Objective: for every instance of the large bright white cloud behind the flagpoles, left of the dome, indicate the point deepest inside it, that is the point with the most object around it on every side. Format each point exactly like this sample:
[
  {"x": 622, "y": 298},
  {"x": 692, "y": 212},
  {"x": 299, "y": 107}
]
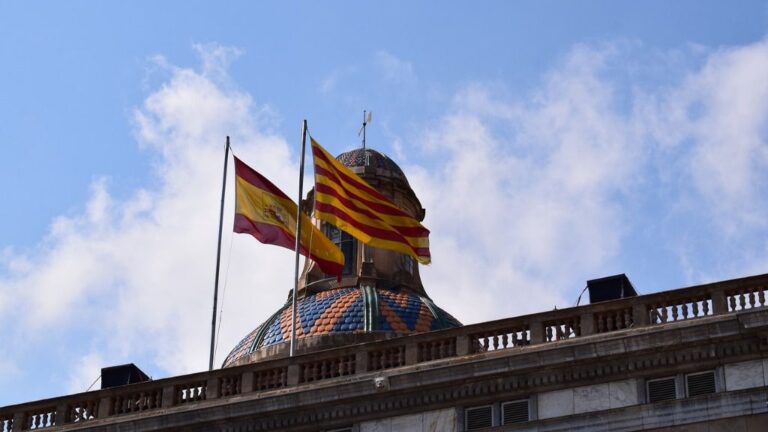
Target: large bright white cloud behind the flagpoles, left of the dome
[{"x": 138, "y": 273}]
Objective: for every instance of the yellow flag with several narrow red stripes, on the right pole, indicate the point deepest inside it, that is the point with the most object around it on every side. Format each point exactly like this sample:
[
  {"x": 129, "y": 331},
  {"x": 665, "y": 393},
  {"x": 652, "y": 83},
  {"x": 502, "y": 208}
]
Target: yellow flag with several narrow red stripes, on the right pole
[{"x": 347, "y": 201}]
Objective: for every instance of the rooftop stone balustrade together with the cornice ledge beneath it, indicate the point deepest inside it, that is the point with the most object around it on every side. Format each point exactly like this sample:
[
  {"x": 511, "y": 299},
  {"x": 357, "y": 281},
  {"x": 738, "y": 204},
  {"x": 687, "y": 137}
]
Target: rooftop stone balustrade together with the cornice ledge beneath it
[{"x": 617, "y": 327}]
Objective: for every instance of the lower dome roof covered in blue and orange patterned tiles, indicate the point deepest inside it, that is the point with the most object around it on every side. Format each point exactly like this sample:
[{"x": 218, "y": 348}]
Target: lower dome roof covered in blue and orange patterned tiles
[{"x": 340, "y": 311}]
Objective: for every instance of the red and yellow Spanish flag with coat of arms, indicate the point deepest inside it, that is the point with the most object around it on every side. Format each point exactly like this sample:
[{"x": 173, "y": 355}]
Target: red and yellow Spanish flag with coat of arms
[{"x": 265, "y": 212}]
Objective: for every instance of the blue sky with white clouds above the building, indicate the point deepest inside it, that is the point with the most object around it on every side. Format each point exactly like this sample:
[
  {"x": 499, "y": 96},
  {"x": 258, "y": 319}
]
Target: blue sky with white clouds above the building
[{"x": 551, "y": 142}]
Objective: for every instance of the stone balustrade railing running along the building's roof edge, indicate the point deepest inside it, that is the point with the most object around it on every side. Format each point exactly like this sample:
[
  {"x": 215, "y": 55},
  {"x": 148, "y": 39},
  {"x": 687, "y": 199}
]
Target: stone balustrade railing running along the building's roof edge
[{"x": 477, "y": 339}]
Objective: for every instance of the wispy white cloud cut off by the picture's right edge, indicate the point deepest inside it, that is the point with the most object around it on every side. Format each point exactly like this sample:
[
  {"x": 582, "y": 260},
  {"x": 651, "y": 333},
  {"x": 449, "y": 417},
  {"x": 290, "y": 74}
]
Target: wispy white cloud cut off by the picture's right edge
[{"x": 719, "y": 116}]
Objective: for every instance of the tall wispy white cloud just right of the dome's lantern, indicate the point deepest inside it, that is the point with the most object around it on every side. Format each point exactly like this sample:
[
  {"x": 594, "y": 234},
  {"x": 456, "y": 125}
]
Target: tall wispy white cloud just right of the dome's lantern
[{"x": 523, "y": 196}]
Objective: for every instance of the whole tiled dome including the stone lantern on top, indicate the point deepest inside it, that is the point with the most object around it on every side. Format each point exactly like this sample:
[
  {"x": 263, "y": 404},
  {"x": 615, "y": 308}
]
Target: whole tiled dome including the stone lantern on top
[{"x": 380, "y": 295}]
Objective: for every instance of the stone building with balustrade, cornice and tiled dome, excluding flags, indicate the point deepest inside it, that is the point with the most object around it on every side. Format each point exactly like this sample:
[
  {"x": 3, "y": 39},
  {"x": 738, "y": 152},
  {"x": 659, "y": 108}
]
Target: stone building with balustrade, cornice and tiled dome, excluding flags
[{"x": 375, "y": 354}]
